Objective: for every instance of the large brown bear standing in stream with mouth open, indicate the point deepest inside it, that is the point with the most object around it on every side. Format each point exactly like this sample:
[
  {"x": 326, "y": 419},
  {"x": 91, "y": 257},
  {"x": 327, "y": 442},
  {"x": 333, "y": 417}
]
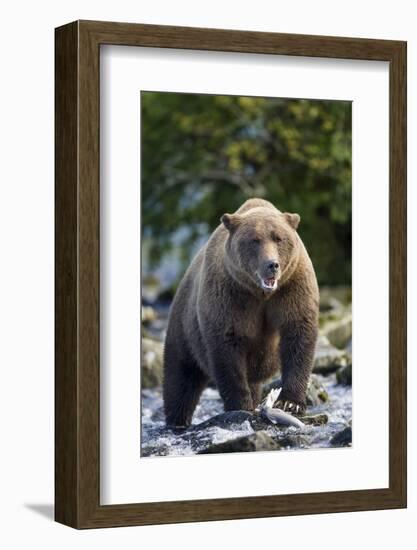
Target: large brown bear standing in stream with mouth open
[{"x": 247, "y": 305}]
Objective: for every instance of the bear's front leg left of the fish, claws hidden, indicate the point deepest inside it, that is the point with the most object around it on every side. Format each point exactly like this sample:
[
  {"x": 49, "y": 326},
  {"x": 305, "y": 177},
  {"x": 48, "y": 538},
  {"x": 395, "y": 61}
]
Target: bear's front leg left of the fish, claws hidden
[{"x": 230, "y": 369}]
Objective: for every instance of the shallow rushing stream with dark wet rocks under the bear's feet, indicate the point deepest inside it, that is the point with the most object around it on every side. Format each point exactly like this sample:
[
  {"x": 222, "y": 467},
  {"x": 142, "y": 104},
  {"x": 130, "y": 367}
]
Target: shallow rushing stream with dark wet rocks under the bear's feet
[{"x": 327, "y": 424}]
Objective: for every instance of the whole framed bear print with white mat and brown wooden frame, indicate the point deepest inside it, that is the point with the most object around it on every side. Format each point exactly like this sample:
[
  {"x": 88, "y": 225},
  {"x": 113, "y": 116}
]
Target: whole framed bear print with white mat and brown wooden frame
[{"x": 230, "y": 274}]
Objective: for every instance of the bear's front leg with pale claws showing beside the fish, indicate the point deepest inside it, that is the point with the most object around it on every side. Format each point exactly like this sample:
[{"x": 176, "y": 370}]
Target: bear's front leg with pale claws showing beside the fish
[{"x": 297, "y": 346}]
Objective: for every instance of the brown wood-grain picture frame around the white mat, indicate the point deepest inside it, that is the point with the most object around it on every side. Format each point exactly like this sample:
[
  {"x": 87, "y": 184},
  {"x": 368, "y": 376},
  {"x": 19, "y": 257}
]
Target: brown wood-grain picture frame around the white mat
[{"x": 77, "y": 274}]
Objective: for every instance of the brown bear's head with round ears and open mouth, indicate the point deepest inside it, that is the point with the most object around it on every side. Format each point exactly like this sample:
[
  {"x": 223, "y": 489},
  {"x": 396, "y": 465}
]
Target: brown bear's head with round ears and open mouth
[{"x": 261, "y": 244}]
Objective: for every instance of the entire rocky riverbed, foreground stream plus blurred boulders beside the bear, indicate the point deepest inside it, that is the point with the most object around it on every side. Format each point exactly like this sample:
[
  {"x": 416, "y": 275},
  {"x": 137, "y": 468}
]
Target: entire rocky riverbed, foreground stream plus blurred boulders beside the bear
[{"x": 327, "y": 422}]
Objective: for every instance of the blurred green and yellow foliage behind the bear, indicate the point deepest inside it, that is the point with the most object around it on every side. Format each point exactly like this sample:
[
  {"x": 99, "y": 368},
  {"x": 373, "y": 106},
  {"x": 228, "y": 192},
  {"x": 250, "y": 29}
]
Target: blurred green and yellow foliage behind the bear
[{"x": 203, "y": 155}]
